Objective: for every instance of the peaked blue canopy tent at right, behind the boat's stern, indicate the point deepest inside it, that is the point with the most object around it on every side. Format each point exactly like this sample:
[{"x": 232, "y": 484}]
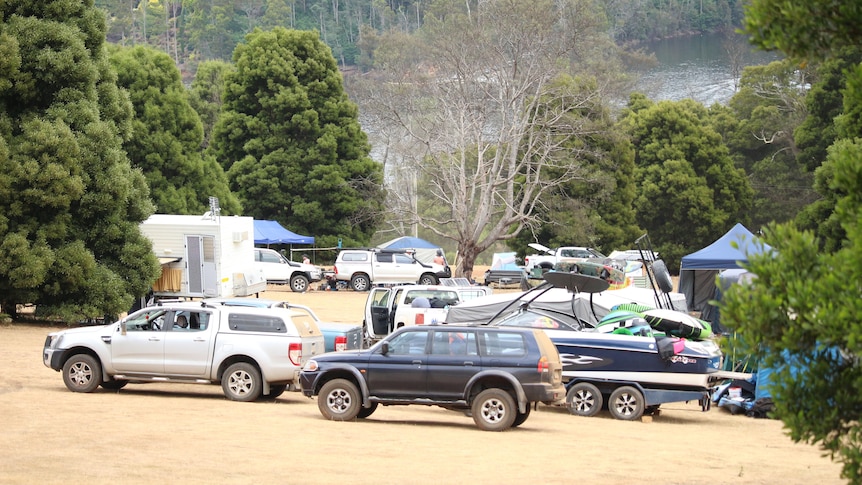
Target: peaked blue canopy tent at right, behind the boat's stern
[{"x": 698, "y": 270}]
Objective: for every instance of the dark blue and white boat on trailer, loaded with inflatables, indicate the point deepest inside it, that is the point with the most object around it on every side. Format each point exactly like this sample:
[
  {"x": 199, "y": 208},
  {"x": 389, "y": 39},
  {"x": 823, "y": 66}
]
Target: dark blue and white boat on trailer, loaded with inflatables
[{"x": 635, "y": 367}]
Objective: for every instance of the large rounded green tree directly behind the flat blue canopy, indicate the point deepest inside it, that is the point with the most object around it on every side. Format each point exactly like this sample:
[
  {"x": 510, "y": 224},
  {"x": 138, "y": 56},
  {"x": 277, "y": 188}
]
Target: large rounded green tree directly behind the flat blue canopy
[{"x": 291, "y": 141}]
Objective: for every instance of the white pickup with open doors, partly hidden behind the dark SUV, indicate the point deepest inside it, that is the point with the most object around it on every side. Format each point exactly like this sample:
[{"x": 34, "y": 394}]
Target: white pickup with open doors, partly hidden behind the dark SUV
[{"x": 388, "y": 309}]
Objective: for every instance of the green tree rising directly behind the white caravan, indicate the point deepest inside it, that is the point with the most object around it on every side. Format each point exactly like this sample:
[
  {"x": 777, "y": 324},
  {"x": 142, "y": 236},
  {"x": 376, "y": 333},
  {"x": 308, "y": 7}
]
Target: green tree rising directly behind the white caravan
[{"x": 168, "y": 135}]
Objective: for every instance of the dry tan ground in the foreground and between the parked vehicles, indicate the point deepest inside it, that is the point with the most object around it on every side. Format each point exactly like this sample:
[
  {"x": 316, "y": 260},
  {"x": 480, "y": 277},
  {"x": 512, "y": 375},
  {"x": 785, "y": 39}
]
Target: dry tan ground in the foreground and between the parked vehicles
[{"x": 192, "y": 434}]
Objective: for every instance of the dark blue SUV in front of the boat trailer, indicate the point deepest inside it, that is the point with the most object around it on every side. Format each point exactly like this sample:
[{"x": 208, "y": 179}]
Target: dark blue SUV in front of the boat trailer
[{"x": 494, "y": 374}]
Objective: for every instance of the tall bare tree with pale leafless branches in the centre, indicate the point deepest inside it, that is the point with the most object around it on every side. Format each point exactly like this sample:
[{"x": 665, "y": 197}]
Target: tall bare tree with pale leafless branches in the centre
[{"x": 475, "y": 97}]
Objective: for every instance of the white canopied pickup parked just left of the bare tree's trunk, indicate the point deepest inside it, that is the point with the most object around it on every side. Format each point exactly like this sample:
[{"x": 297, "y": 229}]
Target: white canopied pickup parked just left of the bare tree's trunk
[{"x": 362, "y": 268}]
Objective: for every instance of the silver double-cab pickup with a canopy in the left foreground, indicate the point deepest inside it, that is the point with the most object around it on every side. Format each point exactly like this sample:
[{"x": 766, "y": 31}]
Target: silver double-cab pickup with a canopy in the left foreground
[{"x": 251, "y": 352}]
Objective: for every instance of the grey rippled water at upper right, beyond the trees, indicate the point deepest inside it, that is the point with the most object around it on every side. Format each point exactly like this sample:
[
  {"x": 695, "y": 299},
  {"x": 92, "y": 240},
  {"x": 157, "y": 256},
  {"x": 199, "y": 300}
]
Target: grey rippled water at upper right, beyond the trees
[{"x": 697, "y": 67}]
